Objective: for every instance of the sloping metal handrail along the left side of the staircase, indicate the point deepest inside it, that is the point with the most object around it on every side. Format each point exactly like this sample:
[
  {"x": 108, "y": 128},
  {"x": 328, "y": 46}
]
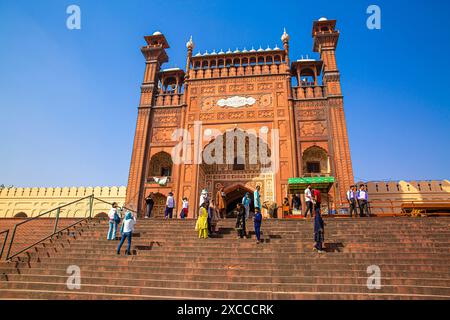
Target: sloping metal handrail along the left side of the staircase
[{"x": 55, "y": 231}]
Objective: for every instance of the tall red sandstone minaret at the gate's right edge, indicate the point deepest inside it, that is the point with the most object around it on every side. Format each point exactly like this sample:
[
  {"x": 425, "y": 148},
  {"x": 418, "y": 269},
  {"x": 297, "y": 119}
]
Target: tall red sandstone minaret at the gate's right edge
[{"x": 326, "y": 38}]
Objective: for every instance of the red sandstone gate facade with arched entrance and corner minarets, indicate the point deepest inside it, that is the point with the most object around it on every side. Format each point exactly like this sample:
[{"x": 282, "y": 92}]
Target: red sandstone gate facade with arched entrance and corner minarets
[{"x": 301, "y": 100}]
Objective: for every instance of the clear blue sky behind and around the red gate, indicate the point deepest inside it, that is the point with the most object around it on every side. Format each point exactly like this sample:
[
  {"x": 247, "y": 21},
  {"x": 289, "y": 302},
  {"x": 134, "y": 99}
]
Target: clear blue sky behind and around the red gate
[{"x": 68, "y": 99}]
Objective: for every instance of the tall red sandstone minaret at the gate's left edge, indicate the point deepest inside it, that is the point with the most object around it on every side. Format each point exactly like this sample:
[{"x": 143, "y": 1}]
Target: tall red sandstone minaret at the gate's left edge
[{"x": 155, "y": 55}]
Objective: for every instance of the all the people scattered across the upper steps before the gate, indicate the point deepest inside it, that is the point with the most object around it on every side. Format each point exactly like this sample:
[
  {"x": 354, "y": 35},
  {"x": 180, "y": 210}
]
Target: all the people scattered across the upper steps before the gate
[{"x": 211, "y": 211}]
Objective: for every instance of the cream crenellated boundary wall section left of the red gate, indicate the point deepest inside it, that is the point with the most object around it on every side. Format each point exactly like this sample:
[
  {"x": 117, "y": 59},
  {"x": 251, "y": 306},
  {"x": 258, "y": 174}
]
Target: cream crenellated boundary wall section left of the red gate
[{"x": 35, "y": 201}]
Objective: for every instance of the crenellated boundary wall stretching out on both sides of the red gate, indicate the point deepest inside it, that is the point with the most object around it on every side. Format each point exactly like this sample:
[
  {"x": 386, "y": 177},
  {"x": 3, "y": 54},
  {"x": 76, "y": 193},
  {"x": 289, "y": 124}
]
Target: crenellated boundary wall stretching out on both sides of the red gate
[{"x": 385, "y": 197}]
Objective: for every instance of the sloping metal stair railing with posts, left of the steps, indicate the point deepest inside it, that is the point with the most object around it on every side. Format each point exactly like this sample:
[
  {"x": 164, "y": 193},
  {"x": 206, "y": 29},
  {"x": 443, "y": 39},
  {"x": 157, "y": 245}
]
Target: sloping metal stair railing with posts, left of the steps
[{"x": 55, "y": 231}]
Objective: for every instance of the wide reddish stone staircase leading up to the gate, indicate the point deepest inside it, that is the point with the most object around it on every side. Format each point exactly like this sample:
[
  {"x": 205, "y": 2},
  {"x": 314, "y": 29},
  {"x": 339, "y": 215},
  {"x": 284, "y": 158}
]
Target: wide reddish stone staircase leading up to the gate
[{"x": 170, "y": 262}]
